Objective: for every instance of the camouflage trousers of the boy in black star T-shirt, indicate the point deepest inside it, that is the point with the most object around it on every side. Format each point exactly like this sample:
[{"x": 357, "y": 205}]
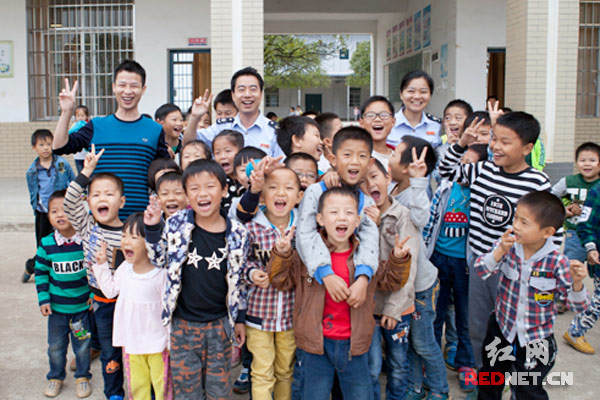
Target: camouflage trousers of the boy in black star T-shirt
[{"x": 200, "y": 359}]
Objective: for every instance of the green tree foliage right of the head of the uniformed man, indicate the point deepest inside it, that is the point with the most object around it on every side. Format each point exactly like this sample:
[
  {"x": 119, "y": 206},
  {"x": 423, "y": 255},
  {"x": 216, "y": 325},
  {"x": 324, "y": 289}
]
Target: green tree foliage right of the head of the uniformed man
[{"x": 292, "y": 62}]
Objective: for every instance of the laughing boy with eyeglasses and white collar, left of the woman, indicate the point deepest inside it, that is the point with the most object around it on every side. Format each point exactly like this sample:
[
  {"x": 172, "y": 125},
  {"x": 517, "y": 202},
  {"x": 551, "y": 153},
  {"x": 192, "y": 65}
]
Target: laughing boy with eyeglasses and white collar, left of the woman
[{"x": 377, "y": 118}]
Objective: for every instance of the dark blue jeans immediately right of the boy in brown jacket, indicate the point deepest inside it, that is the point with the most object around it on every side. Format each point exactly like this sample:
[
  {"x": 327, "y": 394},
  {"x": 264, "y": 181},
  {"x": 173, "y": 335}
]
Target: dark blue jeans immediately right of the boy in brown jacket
[{"x": 396, "y": 346}]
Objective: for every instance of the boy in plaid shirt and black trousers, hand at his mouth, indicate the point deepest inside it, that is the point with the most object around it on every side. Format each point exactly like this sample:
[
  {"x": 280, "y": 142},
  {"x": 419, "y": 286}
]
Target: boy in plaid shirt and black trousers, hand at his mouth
[{"x": 533, "y": 272}]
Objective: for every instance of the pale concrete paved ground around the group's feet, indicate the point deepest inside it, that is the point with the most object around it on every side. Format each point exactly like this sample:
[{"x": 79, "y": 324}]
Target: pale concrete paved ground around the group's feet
[{"x": 23, "y": 329}]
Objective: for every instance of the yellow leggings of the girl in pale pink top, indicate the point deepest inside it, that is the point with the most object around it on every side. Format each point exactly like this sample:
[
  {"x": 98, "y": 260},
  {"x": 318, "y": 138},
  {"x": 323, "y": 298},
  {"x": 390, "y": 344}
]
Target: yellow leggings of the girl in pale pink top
[{"x": 148, "y": 370}]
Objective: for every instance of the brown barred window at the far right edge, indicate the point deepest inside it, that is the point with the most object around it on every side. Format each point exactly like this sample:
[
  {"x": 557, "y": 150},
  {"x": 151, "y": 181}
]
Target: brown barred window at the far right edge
[{"x": 588, "y": 71}]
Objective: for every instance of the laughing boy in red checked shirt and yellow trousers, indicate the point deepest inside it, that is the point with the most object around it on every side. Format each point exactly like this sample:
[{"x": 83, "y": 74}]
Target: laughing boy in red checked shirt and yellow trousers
[{"x": 270, "y": 337}]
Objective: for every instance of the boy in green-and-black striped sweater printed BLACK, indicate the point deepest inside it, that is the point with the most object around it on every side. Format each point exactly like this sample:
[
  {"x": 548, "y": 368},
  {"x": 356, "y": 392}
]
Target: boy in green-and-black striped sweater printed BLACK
[{"x": 64, "y": 297}]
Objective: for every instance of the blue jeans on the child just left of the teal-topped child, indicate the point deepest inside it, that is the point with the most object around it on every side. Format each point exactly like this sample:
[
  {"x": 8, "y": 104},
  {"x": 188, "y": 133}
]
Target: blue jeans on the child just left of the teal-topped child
[{"x": 423, "y": 350}]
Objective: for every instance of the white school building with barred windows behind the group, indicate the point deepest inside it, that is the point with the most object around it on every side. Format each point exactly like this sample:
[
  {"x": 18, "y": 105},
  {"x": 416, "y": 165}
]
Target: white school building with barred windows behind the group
[{"x": 540, "y": 56}]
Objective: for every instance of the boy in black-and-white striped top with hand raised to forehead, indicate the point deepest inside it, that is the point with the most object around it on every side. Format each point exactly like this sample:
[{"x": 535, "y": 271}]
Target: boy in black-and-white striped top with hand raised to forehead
[{"x": 496, "y": 186}]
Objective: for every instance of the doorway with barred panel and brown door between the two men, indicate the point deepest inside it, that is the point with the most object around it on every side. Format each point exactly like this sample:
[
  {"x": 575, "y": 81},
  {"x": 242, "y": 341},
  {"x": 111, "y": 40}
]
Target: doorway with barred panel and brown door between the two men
[{"x": 189, "y": 76}]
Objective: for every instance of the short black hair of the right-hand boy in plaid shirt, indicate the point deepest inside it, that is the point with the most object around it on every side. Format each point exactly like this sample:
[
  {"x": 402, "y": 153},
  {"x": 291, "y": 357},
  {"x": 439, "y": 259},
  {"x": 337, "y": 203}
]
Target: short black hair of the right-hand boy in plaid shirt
[{"x": 547, "y": 209}]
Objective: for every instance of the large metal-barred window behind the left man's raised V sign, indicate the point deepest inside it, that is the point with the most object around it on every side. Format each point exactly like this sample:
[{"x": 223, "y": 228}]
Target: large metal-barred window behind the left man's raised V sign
[{"x": 83, "y": 40}]
